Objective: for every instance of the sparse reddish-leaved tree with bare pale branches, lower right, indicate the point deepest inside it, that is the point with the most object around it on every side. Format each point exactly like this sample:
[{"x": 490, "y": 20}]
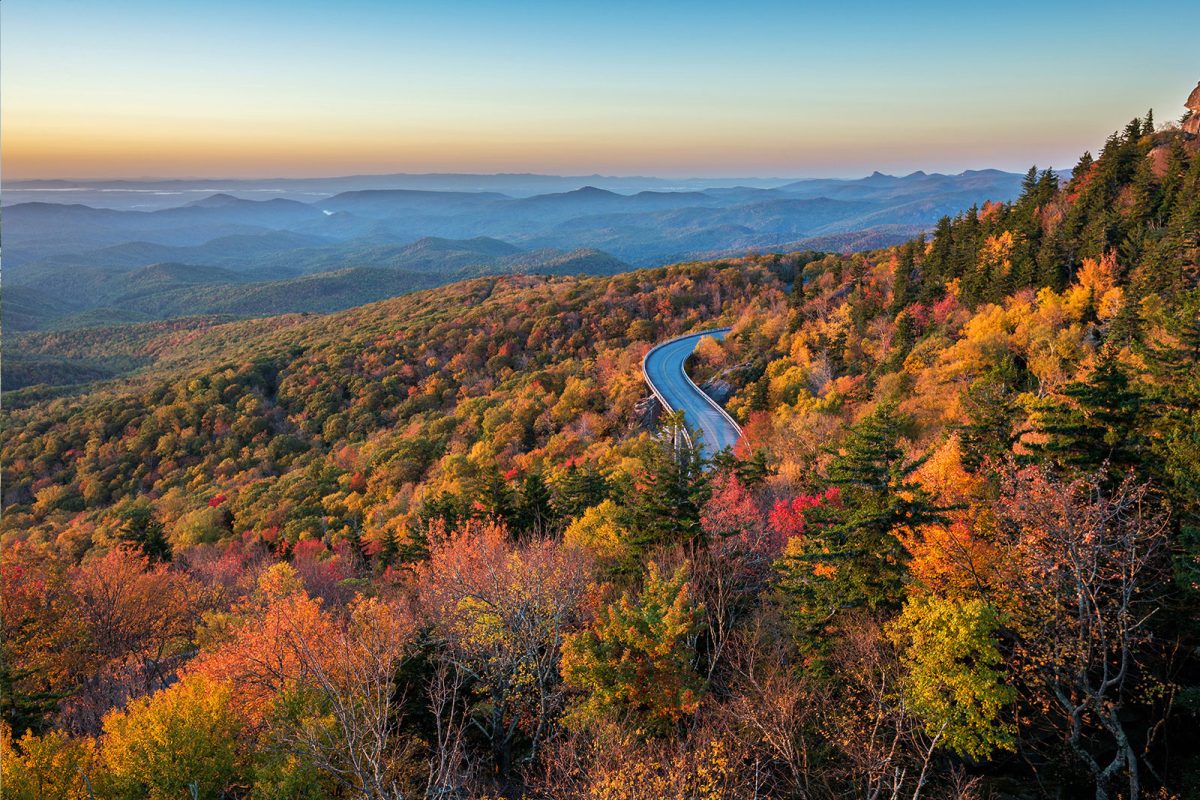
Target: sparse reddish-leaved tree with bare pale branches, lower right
[{"x": 1085, "y": 575}]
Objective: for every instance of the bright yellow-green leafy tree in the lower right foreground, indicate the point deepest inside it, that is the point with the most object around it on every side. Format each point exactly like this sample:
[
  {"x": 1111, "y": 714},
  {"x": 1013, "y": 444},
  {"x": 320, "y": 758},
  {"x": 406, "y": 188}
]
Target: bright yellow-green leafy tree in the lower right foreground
[{"x": 955, "y": 678}]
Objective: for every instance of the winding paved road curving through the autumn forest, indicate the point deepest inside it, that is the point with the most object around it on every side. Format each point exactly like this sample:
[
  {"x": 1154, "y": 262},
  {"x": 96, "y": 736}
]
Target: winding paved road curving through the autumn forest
[{"x": 663, "y": 370}]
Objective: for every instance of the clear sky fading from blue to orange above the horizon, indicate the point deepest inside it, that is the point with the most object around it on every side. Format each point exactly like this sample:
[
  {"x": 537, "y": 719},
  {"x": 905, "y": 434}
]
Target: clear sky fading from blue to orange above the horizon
[{"x": 757, "y": 88}]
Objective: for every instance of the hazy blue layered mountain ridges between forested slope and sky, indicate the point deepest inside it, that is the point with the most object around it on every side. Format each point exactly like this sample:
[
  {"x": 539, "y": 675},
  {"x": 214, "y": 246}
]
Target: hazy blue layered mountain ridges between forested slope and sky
[{"x": 74, "y": 264}]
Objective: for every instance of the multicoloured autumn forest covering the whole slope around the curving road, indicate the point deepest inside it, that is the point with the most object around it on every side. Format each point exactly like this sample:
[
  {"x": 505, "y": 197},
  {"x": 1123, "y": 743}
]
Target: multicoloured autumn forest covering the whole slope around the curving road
[{"x": 442, "y": 546}]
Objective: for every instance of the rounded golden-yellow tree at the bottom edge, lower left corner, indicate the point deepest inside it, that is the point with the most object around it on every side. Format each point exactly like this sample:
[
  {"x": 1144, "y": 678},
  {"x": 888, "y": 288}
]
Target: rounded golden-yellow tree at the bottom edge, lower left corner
[{"x": 182, "y": 741}]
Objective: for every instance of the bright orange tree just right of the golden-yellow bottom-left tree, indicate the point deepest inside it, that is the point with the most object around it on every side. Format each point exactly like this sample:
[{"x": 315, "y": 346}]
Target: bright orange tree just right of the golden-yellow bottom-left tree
[{"x": 320, "y": 687}]
